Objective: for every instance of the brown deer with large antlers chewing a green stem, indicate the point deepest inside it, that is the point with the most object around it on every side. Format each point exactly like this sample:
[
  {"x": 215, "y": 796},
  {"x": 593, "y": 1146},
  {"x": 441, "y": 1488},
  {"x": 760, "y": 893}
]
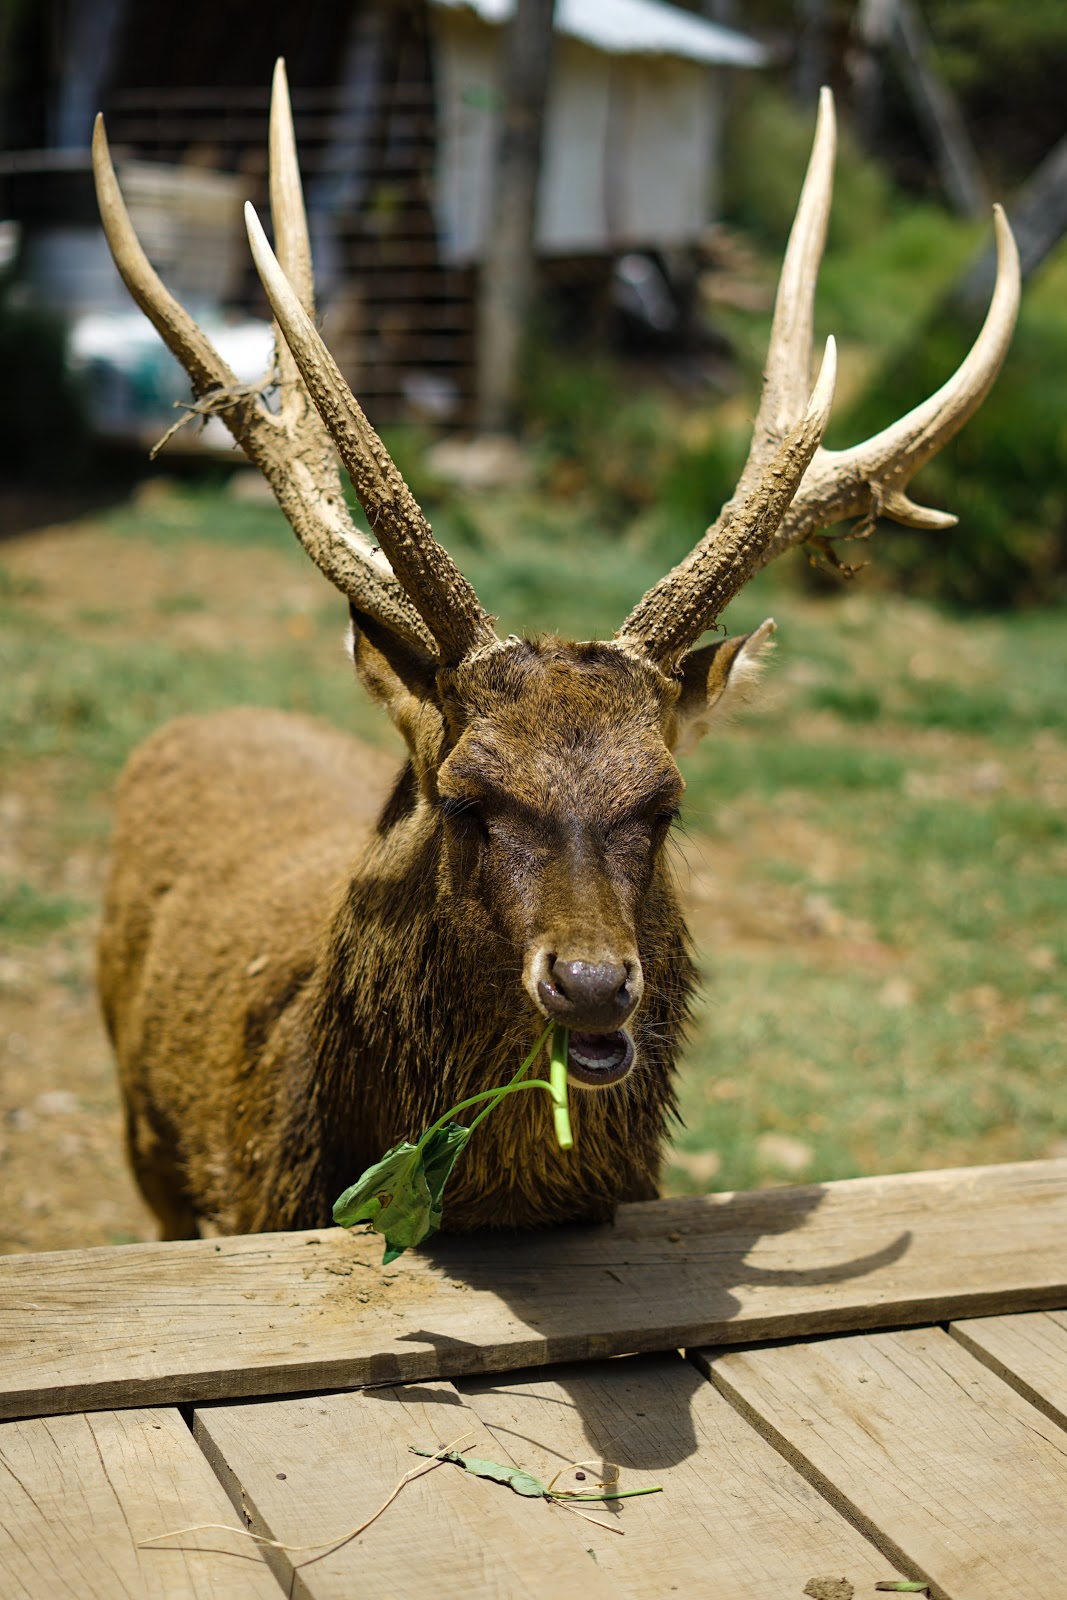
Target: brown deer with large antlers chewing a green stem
[{"x": 305, "y": 959}]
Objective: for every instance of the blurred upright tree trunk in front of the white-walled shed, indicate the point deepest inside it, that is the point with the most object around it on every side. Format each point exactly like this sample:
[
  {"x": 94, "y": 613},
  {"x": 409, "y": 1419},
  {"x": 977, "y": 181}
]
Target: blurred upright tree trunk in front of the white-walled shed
[{"x": 508, "y": 273}]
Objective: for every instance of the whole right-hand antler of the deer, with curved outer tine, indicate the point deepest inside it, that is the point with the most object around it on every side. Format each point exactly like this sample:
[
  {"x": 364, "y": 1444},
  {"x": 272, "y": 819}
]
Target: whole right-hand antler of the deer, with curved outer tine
[{"x": 789, "y": 492}]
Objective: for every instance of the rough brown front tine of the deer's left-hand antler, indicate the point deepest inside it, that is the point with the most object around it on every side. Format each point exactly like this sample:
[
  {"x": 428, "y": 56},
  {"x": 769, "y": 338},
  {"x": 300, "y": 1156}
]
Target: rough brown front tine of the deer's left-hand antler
[{"x": 439, "y": 591}]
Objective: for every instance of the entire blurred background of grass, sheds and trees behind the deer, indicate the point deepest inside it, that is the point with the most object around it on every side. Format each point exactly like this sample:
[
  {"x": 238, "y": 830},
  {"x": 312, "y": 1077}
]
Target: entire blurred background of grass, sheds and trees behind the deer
[{"x": 546, "y": 242}]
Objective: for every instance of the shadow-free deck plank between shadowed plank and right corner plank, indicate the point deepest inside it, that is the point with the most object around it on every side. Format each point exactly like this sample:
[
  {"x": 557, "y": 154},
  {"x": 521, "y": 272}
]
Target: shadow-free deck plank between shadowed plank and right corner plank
[{"x": 945, "y": 1466}]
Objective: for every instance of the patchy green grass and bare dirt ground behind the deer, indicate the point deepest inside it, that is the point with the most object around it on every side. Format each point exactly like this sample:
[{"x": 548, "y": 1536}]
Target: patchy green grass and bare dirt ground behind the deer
[{"x": 874, "y": 860}]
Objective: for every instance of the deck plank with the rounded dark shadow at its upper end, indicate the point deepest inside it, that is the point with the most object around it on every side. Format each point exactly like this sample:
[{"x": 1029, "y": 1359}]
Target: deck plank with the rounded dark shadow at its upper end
[{"x": 735, "y": 1519}]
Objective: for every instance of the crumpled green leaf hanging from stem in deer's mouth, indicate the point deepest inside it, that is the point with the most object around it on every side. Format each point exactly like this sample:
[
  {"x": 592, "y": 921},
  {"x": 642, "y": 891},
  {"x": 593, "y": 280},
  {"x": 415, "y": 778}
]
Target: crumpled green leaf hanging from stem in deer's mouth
[{"x": 401, "y": 1196}]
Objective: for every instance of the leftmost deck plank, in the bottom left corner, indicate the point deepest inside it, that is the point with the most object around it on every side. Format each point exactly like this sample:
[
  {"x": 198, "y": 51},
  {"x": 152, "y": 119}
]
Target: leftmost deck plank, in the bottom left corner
[{"x": 78, "y": 1495}]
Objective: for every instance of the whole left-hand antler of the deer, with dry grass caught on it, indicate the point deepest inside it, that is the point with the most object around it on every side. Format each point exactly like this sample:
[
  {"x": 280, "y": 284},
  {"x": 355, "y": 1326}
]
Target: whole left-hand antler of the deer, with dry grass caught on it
[{"x": 431, "y": 606}]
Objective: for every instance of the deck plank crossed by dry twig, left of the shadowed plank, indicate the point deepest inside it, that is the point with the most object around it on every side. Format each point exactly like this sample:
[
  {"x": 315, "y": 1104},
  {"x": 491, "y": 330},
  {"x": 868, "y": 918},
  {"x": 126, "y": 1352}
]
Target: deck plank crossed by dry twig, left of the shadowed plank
[{"x": 314, "y": 1468}]
